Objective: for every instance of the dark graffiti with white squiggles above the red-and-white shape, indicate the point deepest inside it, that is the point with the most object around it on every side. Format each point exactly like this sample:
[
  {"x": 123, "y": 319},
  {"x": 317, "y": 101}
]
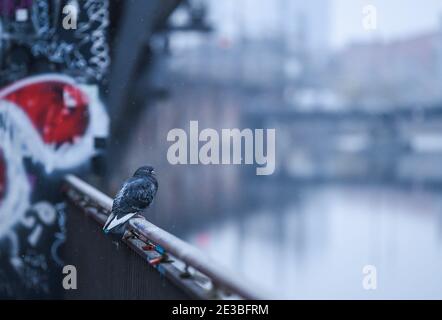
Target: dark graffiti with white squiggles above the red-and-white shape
[{"x": 40, "y": 41}]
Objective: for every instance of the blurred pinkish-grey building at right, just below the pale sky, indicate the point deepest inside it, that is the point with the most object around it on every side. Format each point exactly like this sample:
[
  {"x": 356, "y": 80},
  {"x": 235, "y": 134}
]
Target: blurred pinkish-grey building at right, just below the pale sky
[{"x": 401, "y": 73}]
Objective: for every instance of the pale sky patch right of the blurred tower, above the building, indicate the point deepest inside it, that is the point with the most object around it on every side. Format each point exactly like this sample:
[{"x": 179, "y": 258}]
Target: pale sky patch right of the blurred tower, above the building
[{"x": 396, "y": 18}]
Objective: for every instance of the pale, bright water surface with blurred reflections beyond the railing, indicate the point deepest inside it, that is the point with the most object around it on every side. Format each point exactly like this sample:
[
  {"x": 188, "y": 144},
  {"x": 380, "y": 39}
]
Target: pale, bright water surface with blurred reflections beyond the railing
[{"x": 316, "y": 245}]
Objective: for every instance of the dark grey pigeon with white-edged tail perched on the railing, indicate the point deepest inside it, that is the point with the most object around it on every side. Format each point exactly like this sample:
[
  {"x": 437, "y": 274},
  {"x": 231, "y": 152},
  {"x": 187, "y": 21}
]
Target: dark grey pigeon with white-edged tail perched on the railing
[{"x": 136, "y": 194}]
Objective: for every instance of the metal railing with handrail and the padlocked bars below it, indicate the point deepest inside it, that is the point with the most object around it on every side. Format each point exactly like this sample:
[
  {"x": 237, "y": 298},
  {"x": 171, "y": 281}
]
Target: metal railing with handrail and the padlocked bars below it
[{"x": 185, "y": 265}]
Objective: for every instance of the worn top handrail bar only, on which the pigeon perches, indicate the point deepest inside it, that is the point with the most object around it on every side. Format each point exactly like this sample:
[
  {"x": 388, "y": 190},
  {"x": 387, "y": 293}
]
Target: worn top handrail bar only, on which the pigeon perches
[{"x": 189, "y": 255}]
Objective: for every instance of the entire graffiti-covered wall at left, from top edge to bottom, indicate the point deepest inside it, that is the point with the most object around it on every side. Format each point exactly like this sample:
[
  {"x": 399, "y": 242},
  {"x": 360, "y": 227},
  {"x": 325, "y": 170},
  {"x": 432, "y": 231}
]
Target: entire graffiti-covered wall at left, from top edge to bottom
[{"x": 49, "y": 124}]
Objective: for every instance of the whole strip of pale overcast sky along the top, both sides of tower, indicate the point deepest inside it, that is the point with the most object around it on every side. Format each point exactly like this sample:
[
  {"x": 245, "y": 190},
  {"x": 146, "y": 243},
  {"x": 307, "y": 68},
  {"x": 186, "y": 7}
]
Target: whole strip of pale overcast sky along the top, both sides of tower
[{"x": 341, "y": 18}]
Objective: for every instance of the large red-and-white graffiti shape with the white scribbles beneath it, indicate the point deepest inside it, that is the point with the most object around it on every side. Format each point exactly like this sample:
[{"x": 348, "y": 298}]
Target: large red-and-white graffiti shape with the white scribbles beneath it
[{"x": 48, "y": 123}]
